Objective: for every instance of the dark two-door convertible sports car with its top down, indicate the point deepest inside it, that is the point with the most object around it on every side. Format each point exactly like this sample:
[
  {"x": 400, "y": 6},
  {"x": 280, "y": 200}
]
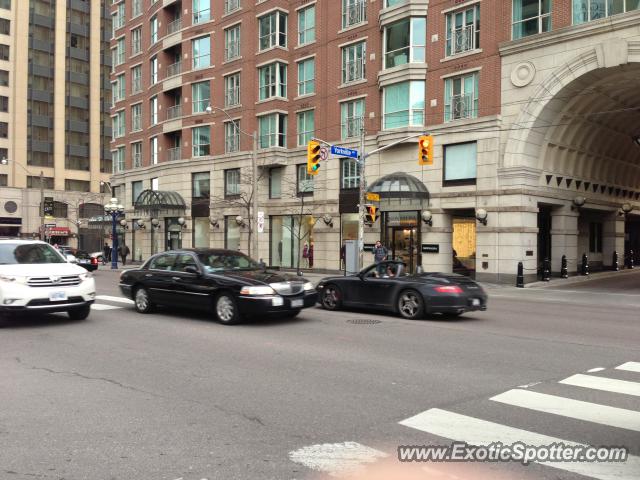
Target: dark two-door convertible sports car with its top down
[{"x": 387, "y": 286}]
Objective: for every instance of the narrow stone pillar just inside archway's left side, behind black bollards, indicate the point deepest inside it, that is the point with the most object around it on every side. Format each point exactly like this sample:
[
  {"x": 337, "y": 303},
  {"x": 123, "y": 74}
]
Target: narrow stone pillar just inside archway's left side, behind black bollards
[{"x": 564, "y": 239}]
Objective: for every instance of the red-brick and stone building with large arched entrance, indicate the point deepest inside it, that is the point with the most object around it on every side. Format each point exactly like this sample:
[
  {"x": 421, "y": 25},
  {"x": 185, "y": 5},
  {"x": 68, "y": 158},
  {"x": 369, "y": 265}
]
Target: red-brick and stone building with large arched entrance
[{"x": 195, "y": 80}]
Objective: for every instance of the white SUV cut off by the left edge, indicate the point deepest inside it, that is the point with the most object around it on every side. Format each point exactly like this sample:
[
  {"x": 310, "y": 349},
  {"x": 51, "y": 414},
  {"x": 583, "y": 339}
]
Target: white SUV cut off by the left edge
[{"x": 35, "y": 277}]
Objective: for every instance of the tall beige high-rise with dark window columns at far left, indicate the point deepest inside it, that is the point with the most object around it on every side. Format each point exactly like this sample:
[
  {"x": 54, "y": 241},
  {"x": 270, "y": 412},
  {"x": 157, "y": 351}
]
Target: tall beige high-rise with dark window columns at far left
[{"x": 54, "y": 123}]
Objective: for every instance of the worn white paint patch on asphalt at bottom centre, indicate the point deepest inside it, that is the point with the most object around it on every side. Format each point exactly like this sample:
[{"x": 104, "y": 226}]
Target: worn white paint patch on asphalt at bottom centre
[{"x": 336, "y": 459}]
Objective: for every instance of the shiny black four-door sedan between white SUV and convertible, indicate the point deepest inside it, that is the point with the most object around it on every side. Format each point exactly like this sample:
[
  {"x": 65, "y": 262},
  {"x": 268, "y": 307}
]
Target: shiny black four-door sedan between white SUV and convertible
[{"x": 227, "y": 282}]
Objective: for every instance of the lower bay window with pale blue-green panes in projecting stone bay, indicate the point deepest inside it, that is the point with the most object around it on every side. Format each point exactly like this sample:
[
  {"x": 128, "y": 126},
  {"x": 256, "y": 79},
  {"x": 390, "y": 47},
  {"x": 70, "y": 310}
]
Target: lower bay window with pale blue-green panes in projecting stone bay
[{"x": 403, "y": 105}]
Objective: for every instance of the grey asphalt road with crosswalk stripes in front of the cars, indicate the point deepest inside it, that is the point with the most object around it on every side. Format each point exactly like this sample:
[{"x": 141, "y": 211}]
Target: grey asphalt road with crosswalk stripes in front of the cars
[{"x": 174, "y": 395}]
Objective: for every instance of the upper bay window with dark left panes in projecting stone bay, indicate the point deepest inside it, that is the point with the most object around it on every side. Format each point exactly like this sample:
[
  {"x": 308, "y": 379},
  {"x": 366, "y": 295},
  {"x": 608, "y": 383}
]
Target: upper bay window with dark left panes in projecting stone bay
[{"x": 404, "y": 42}]
